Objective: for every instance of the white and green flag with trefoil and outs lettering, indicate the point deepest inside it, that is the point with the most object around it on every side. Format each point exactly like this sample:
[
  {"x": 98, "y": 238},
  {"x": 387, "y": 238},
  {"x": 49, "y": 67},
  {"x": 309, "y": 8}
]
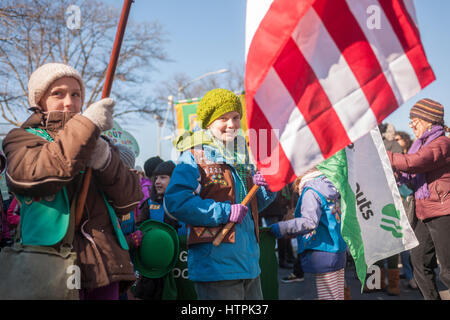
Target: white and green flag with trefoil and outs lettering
[{"x": 374, "y": 222}]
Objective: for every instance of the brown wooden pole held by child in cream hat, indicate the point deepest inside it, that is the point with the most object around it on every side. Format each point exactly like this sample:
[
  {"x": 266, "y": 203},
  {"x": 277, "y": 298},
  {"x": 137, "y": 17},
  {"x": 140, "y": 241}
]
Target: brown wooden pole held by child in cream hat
[{"x": 106, "y": 92}]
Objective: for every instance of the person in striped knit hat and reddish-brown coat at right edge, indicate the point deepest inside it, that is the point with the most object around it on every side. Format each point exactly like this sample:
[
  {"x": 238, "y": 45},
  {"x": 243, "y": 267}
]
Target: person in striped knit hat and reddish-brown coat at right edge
[{"x": 427, "y": 167}]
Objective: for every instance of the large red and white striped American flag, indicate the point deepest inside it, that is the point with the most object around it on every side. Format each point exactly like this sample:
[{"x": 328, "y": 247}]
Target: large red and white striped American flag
[{"x": 321, "y": 73}]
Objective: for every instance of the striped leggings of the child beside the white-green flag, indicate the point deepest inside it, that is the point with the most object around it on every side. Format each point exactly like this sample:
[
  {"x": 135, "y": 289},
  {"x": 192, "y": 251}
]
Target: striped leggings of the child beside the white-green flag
[{"x": 330, "y": 286}]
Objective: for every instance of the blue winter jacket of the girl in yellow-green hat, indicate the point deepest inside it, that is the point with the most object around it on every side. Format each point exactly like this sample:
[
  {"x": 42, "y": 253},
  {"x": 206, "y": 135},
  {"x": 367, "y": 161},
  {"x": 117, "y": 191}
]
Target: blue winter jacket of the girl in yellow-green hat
[{"x": 206, "y": 262}]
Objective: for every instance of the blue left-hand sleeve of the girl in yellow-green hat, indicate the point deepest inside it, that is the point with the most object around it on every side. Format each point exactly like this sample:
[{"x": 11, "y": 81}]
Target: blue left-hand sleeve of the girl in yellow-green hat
[{"x": 182, "y": 197}]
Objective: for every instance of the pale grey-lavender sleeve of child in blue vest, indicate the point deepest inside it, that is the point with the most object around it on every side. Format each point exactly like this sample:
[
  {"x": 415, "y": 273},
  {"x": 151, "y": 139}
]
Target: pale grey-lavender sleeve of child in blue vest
[{"x": 311, "y": 210}]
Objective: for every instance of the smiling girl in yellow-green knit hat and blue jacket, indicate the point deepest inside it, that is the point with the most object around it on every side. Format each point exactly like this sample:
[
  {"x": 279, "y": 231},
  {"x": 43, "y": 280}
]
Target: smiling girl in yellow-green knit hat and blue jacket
[{"x": 207, "y": 187}]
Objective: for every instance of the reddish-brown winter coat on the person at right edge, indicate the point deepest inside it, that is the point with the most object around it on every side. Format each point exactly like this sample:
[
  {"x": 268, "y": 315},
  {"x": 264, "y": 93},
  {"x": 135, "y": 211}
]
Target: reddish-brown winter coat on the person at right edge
[{"x": 433, "y": 160}]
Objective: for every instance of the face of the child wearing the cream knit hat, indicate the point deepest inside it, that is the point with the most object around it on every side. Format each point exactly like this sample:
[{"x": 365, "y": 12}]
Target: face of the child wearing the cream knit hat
[{"x": 63, "y": 95}]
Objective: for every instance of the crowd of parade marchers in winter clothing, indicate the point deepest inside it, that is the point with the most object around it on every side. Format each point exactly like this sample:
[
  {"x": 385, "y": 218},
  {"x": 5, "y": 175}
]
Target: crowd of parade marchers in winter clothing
[{"x": 137, "y": 227}]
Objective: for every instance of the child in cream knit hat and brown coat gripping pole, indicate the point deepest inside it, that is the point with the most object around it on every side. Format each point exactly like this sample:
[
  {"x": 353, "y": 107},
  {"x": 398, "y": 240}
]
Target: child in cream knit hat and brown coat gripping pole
[{"x": 46, "y": 157}]
